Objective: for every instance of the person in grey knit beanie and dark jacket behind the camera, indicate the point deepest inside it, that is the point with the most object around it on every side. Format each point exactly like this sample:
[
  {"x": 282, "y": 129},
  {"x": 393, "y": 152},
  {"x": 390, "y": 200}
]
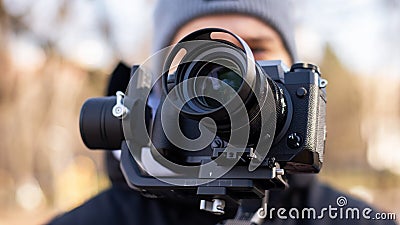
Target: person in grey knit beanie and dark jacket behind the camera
[{"x": 267, "y": 27}]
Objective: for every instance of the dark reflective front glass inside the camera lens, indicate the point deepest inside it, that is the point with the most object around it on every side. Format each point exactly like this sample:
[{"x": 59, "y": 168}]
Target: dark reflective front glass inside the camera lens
[{"x": 218, "y": 80}]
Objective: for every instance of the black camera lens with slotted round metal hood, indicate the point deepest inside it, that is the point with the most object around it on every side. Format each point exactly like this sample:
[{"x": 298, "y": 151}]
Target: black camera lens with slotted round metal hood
[{"x": 220, "y": 80}]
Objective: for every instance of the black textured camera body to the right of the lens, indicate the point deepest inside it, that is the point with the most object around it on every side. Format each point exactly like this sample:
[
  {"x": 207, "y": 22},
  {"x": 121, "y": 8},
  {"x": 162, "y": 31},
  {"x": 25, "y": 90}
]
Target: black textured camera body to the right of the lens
[{"x": 301, "y": 148}]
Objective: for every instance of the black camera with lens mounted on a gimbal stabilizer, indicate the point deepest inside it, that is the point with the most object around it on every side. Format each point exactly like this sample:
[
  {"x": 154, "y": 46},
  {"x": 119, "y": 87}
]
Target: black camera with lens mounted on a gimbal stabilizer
[{"x": 222, "y": 126}]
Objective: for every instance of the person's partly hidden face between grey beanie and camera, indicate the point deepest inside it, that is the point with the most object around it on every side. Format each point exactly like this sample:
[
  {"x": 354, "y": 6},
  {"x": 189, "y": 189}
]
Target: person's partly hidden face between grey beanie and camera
[{"x": 263, "y": 40}]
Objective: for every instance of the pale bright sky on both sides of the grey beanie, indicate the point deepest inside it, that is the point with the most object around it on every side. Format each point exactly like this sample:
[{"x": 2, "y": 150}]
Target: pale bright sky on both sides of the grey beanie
[{"x": 364, "y": 33}]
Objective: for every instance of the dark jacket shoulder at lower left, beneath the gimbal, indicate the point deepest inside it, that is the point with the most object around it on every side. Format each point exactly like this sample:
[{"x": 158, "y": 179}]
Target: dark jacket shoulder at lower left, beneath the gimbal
[{"x": 122, "y": 205}]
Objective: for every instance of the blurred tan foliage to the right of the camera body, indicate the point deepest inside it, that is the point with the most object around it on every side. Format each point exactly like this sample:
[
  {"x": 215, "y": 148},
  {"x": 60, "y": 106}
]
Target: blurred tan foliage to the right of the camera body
[{"x": 350, "y": 105}]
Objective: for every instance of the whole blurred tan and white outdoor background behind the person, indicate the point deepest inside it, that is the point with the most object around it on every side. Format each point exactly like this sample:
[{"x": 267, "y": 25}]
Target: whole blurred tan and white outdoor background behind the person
[{"x": 56, "y": 53}]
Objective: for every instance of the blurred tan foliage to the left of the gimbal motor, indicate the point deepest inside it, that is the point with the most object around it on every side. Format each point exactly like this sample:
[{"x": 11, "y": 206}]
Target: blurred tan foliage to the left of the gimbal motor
[{"x": 43, "y": 162}]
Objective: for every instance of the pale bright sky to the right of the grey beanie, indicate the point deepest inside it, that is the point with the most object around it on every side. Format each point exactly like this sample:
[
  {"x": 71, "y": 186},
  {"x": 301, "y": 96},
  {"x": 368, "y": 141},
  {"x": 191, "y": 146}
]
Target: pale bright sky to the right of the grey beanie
[{"x": 364, "y": 33}]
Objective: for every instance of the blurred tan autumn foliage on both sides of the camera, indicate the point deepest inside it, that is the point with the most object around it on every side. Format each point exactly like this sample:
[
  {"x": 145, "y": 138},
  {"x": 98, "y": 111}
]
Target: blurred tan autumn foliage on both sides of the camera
[{"x": 43, "y": 161}]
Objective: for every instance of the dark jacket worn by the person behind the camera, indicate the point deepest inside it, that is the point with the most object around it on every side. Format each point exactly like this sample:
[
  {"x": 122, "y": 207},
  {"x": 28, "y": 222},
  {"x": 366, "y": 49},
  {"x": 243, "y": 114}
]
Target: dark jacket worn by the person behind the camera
[{"x": 122, "y": 205}]
